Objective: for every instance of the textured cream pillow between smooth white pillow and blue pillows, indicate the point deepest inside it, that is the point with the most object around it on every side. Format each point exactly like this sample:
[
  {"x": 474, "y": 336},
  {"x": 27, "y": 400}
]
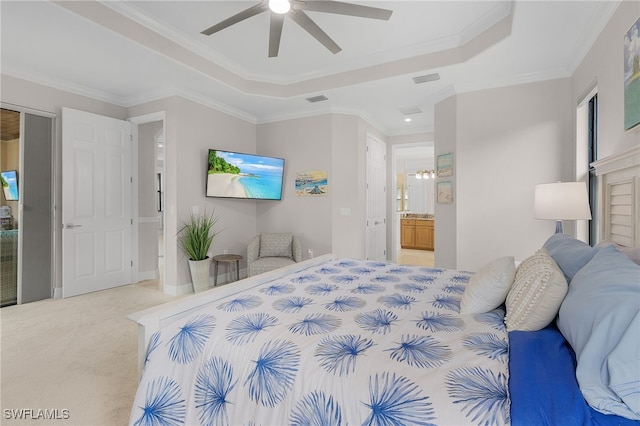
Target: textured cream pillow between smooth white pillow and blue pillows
[{"x": 536, "y": 294}]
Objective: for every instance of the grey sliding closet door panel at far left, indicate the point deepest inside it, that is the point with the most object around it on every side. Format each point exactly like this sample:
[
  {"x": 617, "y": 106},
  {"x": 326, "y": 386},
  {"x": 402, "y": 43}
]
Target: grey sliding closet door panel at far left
[{"x": 35, "y": 282}]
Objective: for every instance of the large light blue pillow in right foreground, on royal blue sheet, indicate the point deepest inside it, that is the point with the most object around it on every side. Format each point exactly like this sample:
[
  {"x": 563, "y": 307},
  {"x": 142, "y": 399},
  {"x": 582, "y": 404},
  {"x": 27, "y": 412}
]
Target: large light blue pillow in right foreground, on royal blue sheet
[{"x": 600, "y": 318}]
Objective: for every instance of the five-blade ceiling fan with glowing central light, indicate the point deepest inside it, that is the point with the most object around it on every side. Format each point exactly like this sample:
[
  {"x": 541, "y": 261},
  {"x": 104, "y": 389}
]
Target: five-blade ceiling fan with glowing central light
[{"x": 295, "y": 9}]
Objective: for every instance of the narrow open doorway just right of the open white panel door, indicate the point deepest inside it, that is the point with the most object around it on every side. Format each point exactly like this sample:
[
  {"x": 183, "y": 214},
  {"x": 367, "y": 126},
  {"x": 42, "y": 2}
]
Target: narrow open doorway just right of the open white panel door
[{"x": 151, "y": 184}]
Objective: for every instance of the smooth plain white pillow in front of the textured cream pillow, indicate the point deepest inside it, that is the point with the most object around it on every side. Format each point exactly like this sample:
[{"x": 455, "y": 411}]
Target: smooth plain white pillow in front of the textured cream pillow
[{"x": 488, "y": 288}]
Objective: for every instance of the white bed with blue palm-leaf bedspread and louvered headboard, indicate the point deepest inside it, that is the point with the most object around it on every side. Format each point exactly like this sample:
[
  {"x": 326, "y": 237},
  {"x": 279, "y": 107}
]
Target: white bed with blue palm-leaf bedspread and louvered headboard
[{"x": 346, "y": 341}]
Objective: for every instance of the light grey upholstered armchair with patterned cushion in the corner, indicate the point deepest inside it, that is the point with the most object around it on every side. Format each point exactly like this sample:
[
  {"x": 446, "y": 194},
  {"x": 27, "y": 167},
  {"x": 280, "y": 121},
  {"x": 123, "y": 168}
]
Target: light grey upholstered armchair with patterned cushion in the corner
[{"x": 269, "y": 251}]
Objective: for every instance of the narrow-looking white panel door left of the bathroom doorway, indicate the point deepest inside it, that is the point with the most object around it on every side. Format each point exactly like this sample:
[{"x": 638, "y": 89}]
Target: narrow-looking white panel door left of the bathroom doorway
[{"x": 376, "y": 166}]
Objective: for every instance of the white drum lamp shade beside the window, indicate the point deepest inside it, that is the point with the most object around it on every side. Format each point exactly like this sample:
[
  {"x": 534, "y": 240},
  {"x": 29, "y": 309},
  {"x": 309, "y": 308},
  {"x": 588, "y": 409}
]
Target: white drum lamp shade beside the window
[{"x": 562, "y": 201}]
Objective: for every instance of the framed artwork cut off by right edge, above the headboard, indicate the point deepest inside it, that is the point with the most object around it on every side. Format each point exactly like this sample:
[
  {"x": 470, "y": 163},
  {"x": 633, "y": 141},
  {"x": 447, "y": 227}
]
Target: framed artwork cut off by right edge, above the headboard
[{"x": 632, "y": 77}]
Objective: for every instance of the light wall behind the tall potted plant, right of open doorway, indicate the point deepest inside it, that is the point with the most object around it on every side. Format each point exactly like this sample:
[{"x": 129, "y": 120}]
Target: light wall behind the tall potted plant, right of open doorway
[{"x": 192, "y": 129}]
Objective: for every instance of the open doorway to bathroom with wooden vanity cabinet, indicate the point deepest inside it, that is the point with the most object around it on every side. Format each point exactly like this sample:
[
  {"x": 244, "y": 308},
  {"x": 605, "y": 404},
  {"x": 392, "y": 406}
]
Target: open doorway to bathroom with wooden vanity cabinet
[{"x": 413, "y": 226}]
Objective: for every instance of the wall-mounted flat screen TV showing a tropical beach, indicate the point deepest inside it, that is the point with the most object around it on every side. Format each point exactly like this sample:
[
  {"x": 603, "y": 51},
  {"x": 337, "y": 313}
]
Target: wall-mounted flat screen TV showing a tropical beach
[{"x": 247, "y": 176}]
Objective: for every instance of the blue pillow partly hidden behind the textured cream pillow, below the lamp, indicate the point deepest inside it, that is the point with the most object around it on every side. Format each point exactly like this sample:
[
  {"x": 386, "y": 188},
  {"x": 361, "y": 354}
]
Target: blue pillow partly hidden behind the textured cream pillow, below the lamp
[{"x": 570, "y": 254}]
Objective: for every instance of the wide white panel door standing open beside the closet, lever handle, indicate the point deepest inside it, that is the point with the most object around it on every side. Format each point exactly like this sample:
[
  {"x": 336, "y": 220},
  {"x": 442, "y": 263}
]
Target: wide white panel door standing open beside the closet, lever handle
[{"x": 97, "y": 230}]
